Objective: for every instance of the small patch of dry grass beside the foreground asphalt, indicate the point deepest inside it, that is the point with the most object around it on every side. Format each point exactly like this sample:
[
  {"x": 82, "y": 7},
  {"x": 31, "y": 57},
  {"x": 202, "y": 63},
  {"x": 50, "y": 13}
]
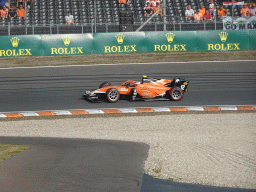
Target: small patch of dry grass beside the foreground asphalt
[{"x": 8, "y": 150}]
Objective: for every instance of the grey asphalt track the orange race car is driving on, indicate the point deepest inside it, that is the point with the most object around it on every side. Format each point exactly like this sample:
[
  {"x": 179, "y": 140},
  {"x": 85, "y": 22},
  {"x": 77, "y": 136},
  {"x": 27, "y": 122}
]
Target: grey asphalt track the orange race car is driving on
[{"x": 59, "y": 88}]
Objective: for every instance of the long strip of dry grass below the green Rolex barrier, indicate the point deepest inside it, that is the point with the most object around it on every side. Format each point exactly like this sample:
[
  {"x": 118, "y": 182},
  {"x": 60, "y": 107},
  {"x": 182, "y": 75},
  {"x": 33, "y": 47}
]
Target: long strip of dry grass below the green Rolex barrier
[{"x": 126, "y": 58}]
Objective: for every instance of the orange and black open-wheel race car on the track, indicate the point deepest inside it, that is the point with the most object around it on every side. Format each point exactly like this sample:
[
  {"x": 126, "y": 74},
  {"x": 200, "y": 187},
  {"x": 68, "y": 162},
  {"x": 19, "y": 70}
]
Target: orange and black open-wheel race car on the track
[{"x": 149, "y": 88}]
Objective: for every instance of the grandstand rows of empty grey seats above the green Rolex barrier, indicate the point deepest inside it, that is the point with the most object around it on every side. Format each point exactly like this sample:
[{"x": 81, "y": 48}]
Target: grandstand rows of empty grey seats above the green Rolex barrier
[{"x": 92, "y": 16}]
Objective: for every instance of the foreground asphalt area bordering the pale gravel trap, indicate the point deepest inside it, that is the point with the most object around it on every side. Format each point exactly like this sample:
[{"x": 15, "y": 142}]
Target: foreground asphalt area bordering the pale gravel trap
[{"x": 55, "y": 164}]
